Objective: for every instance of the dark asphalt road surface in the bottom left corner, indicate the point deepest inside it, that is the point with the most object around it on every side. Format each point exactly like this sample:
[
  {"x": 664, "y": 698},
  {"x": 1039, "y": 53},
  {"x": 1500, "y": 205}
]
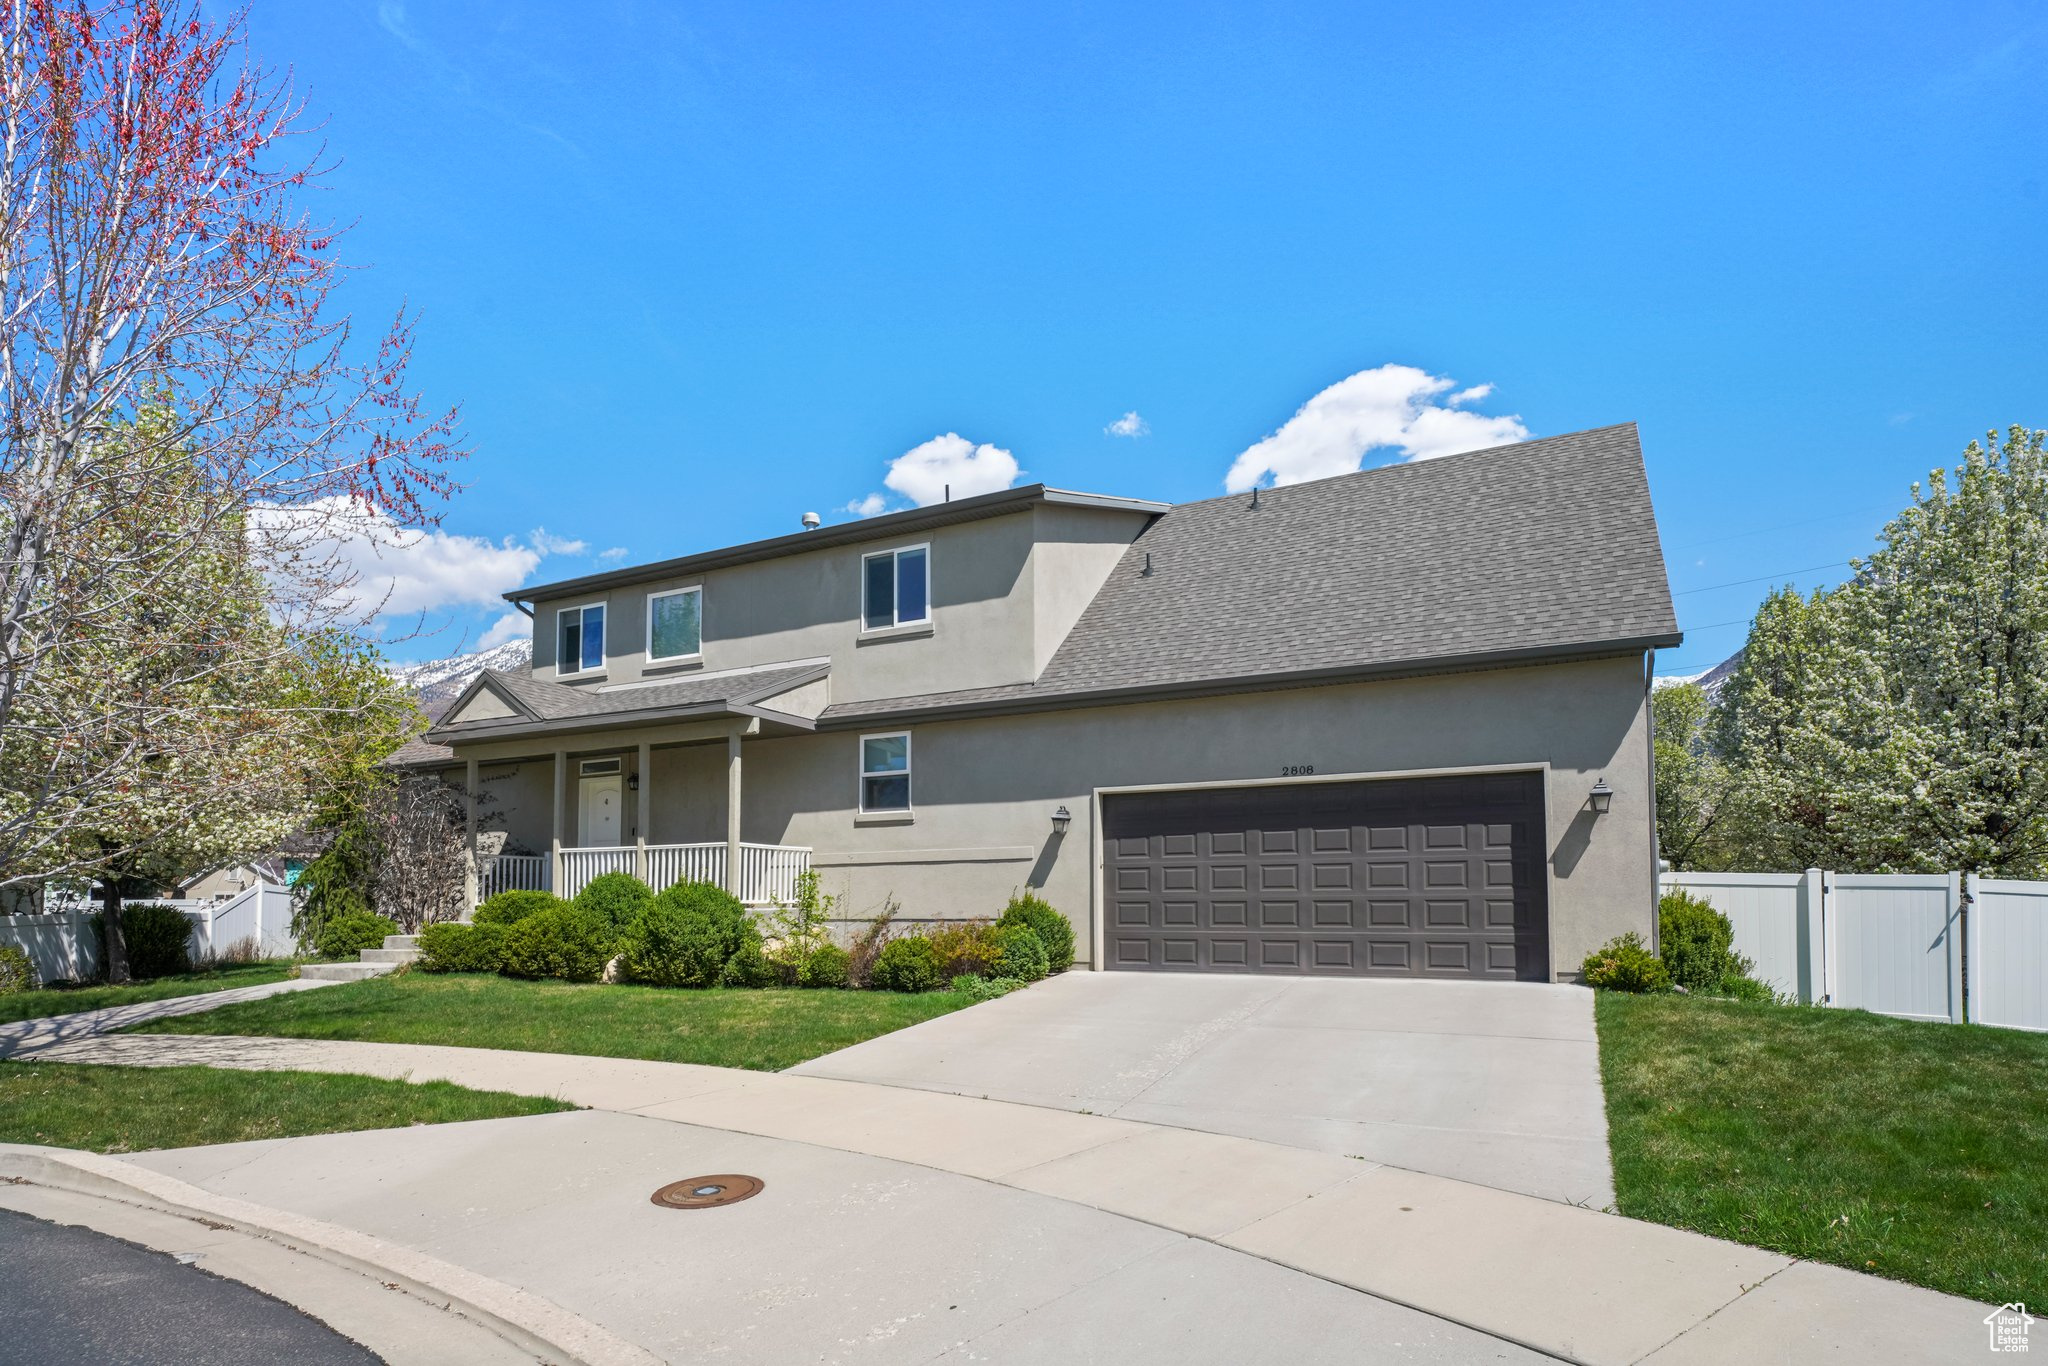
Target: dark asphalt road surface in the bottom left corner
[{"x": 75, "y": 1297}]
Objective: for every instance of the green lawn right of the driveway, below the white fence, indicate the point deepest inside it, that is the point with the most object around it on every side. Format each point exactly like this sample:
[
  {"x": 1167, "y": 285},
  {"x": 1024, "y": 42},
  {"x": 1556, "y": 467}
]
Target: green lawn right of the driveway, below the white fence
[{"x": 1895, "y": 1148}]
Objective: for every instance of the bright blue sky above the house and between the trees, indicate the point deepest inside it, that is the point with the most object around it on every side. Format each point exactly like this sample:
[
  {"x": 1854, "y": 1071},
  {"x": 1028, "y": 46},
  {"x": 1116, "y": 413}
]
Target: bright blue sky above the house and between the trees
[{"x": 693, "y": 269}]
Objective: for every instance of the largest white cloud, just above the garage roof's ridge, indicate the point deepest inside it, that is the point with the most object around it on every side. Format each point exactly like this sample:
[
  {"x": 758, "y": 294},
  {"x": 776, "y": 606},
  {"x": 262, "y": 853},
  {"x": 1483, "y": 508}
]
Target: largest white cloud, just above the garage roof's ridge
[{"x": 1394, "y": 407}]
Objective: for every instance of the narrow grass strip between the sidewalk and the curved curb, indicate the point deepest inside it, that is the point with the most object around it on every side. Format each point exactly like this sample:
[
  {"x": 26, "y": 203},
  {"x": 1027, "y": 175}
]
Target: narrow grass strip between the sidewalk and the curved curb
[{"x": 136, "y": 1109}]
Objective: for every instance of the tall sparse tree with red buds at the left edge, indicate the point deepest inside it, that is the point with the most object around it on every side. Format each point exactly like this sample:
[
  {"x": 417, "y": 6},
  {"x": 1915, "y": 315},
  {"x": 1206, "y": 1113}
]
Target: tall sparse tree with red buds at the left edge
[{"x": 169, "y": 325}]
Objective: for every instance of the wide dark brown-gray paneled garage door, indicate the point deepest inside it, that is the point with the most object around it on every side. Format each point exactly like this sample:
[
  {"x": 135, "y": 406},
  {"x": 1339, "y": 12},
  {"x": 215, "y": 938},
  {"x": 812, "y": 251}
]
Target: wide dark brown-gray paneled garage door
[{"x": 1414, "y": 878}]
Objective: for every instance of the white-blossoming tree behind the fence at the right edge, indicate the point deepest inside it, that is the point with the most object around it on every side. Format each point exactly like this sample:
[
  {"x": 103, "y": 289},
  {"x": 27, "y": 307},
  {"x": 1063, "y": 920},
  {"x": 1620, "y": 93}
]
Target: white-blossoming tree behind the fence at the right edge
[{"x": 1902, "y": 720}]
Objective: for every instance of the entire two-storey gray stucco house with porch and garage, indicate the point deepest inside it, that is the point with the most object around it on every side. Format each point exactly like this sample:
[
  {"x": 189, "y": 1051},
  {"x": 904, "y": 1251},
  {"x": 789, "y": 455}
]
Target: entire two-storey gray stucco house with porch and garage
[{"x": 1392, "y": 722}]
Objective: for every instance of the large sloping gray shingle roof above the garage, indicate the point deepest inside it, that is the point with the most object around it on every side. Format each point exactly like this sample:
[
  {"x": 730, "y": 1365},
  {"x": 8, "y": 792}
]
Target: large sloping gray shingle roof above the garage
[{"x": 1533, "y": 550}]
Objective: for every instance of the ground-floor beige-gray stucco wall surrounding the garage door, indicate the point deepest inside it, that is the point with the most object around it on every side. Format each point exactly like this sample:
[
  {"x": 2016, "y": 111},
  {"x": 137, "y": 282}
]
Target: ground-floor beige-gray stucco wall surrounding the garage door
[{"x": 986, "y": 789}]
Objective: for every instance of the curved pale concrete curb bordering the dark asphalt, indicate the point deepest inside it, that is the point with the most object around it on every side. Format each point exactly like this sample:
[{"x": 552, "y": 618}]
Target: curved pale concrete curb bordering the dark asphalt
[{"x": 521, "y": 1318}]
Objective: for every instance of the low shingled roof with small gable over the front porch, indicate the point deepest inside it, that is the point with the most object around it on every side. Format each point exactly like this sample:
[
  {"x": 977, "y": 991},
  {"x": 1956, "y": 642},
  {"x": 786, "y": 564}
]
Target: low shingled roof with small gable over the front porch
[{"x": 558, "y": 708}]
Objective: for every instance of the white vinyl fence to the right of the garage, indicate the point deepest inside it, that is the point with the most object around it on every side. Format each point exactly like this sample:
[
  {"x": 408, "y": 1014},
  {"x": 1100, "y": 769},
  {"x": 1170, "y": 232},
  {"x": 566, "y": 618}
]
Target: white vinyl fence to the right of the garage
[{"x": 1914, "y": 945}]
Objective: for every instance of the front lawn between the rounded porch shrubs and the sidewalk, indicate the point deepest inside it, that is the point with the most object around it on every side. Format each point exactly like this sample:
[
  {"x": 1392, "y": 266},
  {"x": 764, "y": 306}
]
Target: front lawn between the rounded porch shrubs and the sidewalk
[{"x": 765, "y": 1031}]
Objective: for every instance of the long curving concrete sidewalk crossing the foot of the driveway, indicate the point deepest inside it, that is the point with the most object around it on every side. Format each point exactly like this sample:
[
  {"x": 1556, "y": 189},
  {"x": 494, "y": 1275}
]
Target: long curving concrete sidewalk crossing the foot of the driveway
[{"x": 1568, "y": 1281}]
